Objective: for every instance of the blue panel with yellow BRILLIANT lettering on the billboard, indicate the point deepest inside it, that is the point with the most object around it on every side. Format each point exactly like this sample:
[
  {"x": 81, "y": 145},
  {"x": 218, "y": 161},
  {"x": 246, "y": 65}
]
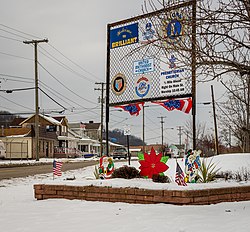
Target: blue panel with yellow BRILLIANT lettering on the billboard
[{"x": 124, "y": 36}]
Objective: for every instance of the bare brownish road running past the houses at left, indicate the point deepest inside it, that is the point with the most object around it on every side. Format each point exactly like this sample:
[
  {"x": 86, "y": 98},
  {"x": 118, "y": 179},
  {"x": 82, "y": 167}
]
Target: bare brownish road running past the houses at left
[{"x": 14, "y": 172}]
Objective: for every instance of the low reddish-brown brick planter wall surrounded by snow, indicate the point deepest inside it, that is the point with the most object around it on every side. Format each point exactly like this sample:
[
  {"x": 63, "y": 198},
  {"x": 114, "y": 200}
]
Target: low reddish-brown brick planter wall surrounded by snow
[{"x": 143, "y": 196}]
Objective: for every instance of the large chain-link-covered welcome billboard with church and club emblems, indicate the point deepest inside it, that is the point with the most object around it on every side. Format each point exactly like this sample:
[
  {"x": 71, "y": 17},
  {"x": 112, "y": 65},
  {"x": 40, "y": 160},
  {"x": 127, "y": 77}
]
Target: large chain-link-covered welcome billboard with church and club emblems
[{"x": 150, "y": 56}]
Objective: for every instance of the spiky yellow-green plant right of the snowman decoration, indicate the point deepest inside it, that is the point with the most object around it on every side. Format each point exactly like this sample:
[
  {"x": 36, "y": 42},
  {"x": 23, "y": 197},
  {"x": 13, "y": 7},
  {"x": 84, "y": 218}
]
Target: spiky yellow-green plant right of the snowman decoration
[{"x": 207, "y": 171}]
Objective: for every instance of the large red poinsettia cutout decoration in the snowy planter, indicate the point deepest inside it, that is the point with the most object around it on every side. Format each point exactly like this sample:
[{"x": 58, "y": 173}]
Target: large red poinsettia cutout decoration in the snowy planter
[{"x": 152, "y": 164}]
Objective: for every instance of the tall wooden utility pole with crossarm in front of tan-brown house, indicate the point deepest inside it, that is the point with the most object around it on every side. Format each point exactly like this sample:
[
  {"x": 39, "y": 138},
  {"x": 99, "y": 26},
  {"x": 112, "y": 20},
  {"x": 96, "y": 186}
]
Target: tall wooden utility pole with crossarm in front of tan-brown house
[{"x": 35, "y": 42}]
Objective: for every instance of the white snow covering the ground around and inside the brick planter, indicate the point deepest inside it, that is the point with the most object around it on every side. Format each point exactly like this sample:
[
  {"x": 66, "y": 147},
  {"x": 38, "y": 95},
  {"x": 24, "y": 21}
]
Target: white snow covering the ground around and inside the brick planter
[{"x": 19, "y": 211}]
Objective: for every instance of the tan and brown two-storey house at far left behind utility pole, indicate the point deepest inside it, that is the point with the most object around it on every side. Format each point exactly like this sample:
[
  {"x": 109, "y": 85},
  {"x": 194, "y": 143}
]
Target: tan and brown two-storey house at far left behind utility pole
[{"x": 19, "y": 138}]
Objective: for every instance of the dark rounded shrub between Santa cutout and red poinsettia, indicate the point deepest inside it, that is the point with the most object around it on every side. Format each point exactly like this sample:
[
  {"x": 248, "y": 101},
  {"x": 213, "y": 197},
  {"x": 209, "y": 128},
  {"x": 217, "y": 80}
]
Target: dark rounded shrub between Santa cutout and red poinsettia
[{"x": 126, "y": 172}]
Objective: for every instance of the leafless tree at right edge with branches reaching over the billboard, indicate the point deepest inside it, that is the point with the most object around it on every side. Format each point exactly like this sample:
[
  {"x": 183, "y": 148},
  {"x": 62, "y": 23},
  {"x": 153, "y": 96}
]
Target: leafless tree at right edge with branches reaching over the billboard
[{"x": 222, "y": 52}]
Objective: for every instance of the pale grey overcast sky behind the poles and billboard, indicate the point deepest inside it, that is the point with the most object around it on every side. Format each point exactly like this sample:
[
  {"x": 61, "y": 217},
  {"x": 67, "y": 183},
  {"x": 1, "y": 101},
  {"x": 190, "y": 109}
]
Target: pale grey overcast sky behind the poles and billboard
[{"x": 72, "y": 61}]
